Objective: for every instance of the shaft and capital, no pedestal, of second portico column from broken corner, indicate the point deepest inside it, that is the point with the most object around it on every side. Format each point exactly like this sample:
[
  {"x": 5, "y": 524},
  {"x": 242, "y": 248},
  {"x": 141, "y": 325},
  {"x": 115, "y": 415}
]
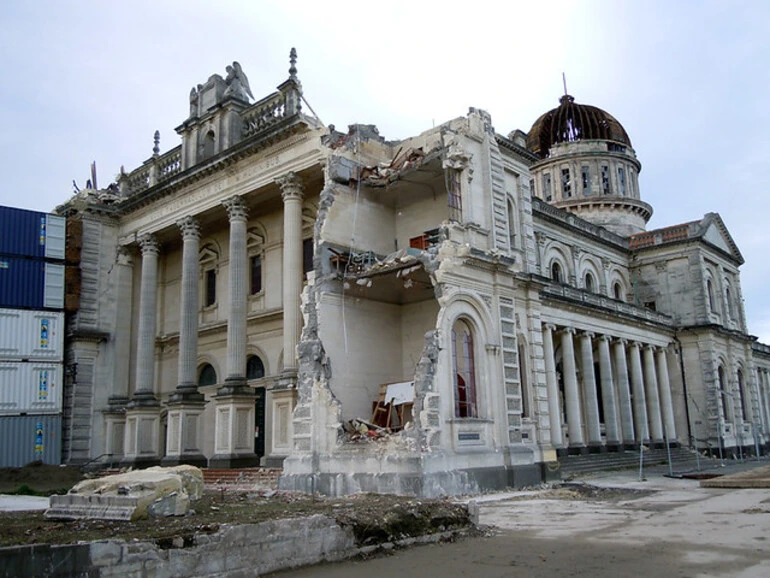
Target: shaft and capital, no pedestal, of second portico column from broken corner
[{"x": 237, "y": 285}]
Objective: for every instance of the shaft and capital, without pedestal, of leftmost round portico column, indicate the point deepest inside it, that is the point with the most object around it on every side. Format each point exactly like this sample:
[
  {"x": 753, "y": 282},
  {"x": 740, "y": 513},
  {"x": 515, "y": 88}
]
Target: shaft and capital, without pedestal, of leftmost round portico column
[{"x": 148, "y": 293}]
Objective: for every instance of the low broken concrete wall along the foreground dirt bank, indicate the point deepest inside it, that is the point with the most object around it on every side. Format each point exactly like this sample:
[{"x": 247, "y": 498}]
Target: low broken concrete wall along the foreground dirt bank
[{"x": 233, "y": 551}]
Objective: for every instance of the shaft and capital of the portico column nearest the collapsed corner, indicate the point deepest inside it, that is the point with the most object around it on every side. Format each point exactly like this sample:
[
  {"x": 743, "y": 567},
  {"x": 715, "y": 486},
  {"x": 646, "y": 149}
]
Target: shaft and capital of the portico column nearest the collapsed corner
[{"x": 292, "y": 192}]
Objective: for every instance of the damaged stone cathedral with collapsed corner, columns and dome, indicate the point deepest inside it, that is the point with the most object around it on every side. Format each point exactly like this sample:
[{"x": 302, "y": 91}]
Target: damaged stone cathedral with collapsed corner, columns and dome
[{"x": 448, "y": 313}]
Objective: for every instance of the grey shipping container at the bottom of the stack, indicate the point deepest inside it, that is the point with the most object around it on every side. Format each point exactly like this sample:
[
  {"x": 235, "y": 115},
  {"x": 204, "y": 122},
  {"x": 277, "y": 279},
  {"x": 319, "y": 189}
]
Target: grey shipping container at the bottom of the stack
[{"x": 28, "y": 438}]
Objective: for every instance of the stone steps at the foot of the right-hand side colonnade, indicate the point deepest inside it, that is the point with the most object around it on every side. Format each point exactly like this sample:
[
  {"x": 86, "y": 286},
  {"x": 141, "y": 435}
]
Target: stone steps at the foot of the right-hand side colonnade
[{"x": 682, "y": 460}]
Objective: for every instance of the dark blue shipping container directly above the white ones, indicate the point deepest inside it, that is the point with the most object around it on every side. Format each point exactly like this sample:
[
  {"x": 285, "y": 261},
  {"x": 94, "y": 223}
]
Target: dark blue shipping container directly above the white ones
[{"x": 31, "y": 284}]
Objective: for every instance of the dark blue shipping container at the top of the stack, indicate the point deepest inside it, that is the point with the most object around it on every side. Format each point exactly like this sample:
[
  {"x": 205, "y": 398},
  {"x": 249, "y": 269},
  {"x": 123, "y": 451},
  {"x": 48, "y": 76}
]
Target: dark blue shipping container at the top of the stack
[{"x": 31, "y": 234}]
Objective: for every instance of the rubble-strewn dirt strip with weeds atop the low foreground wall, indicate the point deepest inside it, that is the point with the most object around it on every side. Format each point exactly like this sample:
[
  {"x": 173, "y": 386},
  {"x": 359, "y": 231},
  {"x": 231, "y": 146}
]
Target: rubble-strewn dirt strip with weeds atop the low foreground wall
[{"x": 374, "y": 519}]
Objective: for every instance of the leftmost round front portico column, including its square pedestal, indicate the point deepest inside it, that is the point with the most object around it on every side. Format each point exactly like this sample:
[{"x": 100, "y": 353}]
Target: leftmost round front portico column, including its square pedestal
[{"x": 142, "y": 431}]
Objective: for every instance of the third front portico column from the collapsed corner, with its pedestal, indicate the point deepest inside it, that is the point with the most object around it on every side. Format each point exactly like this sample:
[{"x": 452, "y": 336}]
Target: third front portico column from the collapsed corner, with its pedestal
[{"x": 184, "y": 437}]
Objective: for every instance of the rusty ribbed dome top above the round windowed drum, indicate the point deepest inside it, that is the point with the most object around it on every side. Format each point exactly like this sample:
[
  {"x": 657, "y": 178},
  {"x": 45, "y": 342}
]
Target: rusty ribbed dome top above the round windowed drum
[{"x": 573, "y": 122}]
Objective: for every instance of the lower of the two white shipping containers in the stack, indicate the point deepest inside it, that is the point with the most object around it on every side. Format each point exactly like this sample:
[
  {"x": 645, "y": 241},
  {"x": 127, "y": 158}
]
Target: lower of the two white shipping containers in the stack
[{"x": 30, "y": 387}]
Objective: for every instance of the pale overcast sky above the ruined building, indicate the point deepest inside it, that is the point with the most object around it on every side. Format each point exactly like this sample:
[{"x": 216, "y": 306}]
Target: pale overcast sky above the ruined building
[{"x": 92, "y": 81}]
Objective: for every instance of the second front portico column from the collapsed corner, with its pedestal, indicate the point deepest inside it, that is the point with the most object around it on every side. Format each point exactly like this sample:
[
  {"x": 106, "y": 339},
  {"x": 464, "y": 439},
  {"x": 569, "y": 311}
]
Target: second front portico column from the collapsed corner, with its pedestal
[{"x": 234, "y": 413}]
